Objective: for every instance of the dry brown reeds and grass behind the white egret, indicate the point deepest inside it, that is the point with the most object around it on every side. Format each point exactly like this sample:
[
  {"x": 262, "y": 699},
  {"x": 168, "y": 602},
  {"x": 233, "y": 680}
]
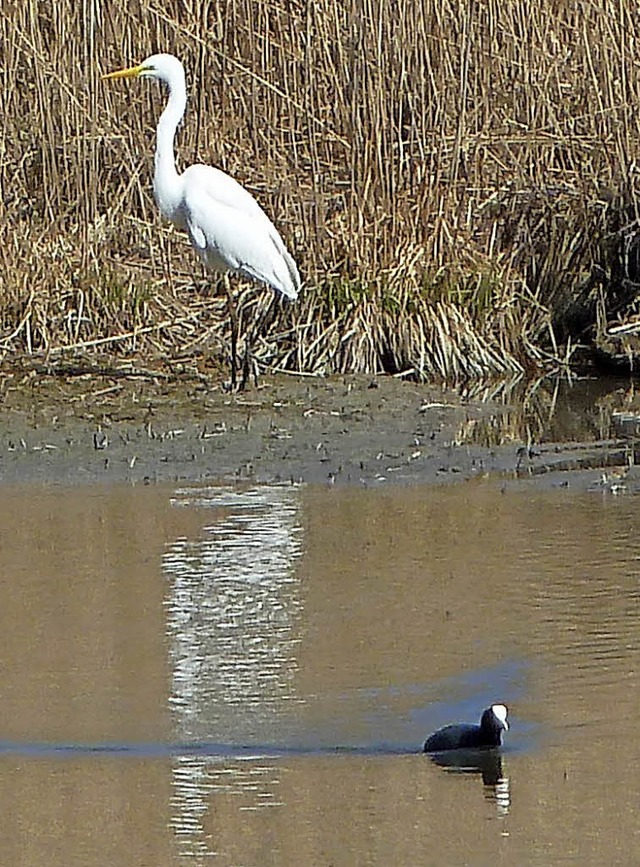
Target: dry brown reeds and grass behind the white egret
[{"x": 452, "y": 177}]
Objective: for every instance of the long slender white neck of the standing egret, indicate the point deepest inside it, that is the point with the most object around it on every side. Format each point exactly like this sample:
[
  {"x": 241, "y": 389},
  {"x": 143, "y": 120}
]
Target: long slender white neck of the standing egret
[{"x": 166, "y": 184}]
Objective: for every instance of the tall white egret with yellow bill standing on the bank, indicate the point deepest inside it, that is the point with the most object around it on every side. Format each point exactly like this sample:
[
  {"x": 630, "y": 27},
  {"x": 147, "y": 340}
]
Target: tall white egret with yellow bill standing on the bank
[{"x": 226, "y": 225}]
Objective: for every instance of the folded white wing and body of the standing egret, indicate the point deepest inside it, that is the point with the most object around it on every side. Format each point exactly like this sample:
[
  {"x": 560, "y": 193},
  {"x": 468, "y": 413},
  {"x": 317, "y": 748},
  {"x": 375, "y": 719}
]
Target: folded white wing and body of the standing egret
[{"x": 230, "y": 230}]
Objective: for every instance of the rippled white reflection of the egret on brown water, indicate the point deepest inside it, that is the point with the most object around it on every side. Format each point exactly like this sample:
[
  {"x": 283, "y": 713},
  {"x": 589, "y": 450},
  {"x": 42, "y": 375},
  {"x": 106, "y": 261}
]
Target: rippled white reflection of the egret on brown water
[{"x": 233, "y": 604}]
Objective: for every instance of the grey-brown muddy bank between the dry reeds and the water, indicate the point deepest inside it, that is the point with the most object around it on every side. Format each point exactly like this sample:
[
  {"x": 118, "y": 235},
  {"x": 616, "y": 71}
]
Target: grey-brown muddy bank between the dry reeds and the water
[{"x": 346, "y": 430}]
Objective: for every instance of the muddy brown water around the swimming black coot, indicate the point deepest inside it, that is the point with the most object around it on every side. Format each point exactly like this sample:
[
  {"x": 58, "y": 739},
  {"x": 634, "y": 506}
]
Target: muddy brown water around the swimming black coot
[{"x": 245, "y": 675}]
